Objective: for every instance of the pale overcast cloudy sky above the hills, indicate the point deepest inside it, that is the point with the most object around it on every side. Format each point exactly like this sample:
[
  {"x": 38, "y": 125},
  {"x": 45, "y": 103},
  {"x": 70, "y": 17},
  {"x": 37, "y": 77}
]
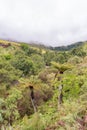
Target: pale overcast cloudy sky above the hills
[{"x": 52, "y": 22}]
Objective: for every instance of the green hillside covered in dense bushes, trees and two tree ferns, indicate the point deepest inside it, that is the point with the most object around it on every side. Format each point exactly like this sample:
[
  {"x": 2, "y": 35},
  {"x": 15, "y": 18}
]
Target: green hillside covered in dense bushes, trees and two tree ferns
[{"x": 43, "y": 89}]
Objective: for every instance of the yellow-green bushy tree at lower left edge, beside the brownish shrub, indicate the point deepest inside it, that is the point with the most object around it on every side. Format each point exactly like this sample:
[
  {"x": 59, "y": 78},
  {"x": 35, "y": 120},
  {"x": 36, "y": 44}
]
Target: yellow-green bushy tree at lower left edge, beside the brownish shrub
[{"x": 8, "y": 107}]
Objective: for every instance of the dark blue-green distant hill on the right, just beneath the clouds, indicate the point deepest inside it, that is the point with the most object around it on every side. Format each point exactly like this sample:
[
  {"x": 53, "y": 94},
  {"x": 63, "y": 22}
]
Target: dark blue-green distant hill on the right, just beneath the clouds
[{"x": 68, "y": 47}]
